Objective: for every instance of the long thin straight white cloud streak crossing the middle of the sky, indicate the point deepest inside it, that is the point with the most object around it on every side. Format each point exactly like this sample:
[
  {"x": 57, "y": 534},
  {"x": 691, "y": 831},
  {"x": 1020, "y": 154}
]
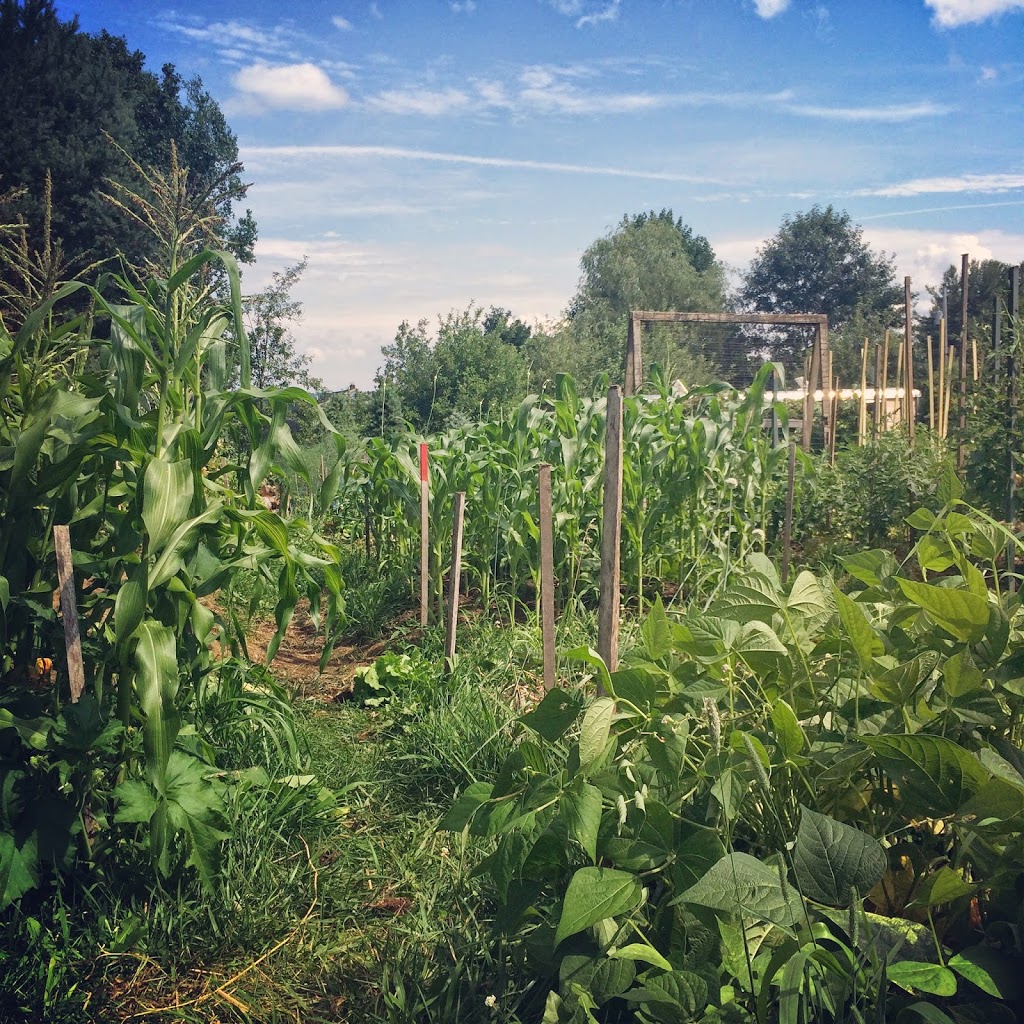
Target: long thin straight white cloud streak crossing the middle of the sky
[{"x": 257, "y": 154}]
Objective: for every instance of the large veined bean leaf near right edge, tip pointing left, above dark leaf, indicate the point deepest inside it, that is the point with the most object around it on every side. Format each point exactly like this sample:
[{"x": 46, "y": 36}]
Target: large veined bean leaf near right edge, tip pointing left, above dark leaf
[{"x": 935, "y": 776}]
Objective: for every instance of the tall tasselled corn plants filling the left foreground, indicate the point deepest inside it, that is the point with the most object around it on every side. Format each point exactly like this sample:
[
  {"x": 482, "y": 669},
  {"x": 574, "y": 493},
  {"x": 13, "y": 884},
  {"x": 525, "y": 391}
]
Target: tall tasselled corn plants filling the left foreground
[{"x": 139, "y": 429}]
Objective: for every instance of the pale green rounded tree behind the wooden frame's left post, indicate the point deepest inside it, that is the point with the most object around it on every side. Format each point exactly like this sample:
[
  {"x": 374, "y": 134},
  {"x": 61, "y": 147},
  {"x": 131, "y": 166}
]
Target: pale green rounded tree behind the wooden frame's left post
[{"x": 650, "y": 262}]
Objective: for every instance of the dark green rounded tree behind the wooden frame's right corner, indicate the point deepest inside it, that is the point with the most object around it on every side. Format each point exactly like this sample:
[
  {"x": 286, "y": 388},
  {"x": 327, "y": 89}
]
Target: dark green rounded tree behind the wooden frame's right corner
[{"x": 820, "y": 264}]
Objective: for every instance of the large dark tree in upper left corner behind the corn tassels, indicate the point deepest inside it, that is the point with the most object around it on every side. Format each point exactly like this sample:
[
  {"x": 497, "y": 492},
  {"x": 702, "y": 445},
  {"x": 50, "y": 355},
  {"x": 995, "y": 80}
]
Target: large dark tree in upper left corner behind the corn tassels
[{"x": 66, "y": 96}]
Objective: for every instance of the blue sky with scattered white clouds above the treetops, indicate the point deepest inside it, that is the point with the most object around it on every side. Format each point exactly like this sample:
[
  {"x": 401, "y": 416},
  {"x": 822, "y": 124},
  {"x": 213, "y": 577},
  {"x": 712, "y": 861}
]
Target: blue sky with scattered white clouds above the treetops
[{"x": 430, "y": 154}]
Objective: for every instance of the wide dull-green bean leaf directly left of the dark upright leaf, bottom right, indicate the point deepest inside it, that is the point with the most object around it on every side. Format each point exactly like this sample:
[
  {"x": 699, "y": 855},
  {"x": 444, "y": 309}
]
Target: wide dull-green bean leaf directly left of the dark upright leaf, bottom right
[{"x": 743, "y": 885}]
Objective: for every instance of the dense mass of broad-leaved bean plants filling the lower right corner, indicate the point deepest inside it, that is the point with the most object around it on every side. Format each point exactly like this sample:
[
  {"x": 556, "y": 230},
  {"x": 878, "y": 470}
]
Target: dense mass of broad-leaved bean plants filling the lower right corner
[{"x": 791, "y": 807}]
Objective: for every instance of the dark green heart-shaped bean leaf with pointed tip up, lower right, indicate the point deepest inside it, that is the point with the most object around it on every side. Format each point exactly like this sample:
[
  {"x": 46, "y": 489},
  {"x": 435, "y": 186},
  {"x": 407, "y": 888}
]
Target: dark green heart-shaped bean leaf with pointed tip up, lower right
[{"x": 831, "y": 859}]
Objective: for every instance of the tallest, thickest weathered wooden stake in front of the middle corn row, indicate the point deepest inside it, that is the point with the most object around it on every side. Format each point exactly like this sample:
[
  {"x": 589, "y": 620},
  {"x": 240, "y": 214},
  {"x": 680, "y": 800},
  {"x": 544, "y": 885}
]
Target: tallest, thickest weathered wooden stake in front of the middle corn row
[{"x": 612, "y": 525}]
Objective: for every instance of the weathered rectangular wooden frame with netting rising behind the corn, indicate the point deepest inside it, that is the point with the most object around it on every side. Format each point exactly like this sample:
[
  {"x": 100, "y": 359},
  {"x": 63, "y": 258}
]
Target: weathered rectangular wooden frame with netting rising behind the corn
[{"x": 821, "y": 356}]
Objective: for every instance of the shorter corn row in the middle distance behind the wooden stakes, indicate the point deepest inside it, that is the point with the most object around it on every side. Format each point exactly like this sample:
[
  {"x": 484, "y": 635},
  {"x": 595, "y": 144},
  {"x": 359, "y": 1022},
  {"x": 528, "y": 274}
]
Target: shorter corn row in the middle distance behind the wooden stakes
[{"x": 702, "y": 487}]
